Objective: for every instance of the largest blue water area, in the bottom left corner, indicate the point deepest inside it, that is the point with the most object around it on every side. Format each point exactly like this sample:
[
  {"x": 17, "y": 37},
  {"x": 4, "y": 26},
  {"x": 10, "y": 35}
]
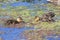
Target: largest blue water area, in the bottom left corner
[{"x": 12, "y": 33}]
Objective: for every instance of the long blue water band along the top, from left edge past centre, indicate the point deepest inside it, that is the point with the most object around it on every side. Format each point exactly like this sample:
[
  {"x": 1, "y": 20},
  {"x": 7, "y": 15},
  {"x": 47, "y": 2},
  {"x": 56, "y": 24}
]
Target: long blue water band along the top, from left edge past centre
[{"x": 14, "y": 4}]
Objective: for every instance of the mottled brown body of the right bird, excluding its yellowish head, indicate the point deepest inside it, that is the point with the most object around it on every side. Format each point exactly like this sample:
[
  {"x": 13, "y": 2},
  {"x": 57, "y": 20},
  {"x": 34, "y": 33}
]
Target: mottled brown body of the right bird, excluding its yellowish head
[{"x": 48, "y": 17}]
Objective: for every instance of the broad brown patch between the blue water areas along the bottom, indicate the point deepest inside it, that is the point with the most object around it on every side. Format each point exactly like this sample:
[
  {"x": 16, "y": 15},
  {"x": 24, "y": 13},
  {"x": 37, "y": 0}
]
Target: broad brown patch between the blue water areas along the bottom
[{"x": 38, "y": 34}]
